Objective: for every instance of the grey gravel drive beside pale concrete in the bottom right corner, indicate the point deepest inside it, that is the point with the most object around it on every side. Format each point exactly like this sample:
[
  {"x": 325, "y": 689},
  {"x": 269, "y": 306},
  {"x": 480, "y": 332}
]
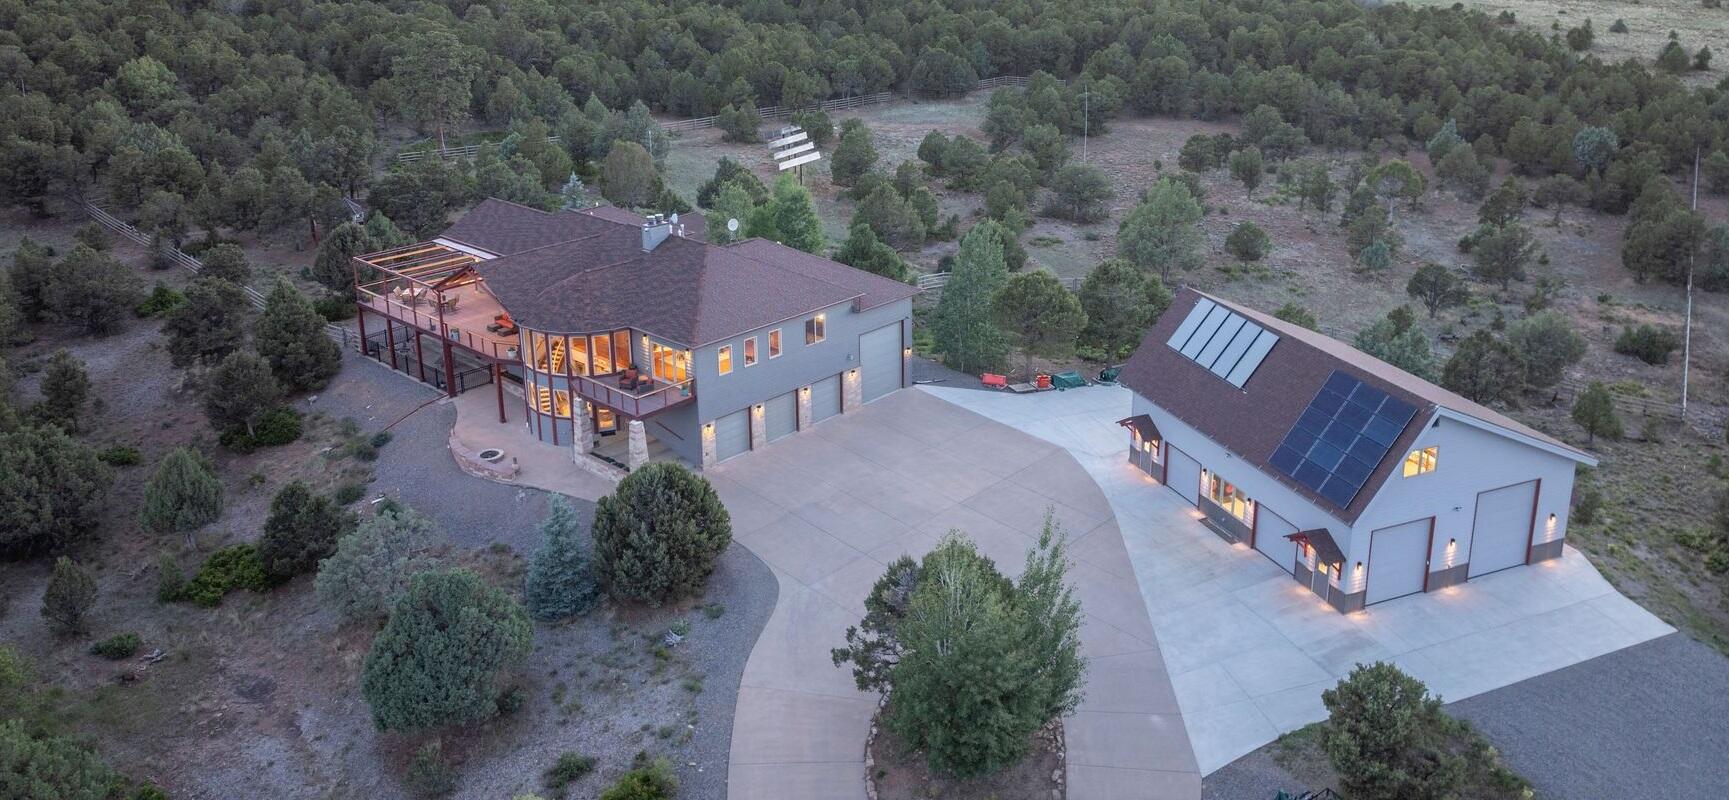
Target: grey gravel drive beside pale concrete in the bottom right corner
[{"x": 1645, "y": 721}]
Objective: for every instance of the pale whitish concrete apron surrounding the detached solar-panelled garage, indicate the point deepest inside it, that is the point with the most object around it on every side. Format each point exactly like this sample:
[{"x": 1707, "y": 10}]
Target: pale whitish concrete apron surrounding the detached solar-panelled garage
[{"x": 1249, "y": 651}]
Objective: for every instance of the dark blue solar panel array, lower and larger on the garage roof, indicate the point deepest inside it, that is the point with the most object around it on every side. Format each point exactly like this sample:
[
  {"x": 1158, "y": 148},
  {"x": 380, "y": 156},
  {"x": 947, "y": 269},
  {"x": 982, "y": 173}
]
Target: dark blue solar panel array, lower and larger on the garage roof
[{"x": 1341, "y": 438}]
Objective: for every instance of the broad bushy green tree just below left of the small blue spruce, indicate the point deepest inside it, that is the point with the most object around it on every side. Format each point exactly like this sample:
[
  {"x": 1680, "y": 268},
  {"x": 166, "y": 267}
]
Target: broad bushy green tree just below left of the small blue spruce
[{"x": 440, "y": 657}]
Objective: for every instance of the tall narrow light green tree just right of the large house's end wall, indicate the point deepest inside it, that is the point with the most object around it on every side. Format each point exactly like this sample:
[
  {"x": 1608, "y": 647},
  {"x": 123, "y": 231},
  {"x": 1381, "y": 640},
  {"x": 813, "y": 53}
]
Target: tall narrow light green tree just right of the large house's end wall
[{"x": 962, "y": 327}]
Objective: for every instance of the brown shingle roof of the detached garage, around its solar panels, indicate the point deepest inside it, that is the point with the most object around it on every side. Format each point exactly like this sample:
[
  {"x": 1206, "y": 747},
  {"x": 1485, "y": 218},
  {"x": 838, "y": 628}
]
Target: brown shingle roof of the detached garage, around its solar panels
[{"x": 1253, "y": 421}]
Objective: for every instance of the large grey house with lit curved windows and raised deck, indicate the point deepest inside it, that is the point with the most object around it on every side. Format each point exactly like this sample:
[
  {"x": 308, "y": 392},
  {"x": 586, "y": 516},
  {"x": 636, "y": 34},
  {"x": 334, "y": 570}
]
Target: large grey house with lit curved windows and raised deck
[{"x": 613, "y": 322}]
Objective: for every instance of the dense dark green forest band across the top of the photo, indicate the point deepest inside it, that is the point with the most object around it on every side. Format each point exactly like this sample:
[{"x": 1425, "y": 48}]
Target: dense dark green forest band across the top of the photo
[{"x": 262, "y": 115}]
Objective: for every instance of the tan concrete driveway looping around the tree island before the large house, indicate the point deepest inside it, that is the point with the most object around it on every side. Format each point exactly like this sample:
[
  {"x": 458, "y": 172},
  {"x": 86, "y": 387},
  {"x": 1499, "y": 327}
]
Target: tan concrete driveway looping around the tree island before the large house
[{"x": 827, "y": 509}]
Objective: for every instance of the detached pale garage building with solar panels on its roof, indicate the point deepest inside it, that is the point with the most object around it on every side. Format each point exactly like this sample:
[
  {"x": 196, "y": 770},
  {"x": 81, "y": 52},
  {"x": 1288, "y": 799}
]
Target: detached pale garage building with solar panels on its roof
[{"x": 1362, "y": 481}]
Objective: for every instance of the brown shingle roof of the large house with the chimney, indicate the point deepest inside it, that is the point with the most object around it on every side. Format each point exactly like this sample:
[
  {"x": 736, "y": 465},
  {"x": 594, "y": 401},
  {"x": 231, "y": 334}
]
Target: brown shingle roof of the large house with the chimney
[{"x": 692, "y": 293}]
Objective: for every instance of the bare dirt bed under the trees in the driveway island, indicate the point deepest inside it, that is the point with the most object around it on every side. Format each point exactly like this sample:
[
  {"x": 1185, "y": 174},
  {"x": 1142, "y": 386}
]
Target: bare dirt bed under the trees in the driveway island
[{"x": 900, "y": 773}]
